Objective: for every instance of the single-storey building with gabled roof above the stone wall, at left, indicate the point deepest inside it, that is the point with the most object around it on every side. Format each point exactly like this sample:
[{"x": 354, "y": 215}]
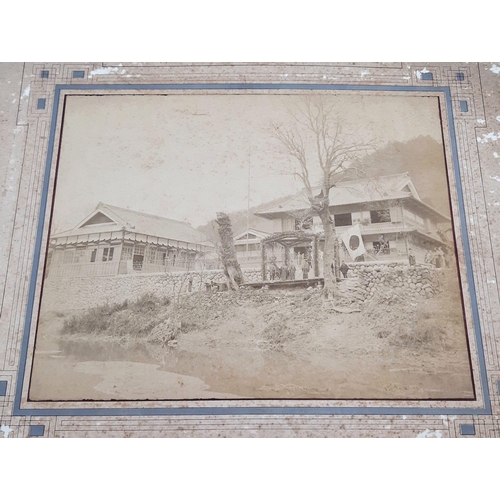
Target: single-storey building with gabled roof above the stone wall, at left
[{"x": 113, "y": 240}]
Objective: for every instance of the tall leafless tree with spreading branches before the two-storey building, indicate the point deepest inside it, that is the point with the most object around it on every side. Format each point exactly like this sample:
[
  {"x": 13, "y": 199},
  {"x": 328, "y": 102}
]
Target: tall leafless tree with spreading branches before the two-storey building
[{"x": 325, "y": 155}]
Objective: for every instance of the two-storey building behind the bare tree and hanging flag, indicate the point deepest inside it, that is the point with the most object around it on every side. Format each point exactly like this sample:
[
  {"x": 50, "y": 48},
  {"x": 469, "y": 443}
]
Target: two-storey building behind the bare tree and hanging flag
[{"x": 391, "y": 217}]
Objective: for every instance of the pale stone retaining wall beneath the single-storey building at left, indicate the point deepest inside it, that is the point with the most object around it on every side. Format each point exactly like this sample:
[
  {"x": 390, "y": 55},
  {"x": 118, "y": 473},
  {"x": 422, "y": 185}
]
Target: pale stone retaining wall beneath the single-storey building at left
[{"x": 61, "y": 294}]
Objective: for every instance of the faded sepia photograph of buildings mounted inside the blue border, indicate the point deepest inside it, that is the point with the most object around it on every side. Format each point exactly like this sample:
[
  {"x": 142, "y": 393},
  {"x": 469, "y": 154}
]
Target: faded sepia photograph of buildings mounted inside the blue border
[{"x": 246, "y": 246}]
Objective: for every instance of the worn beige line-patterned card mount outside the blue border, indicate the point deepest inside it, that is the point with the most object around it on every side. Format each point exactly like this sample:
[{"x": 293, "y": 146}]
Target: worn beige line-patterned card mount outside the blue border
[{"x": 24, "y": 135}]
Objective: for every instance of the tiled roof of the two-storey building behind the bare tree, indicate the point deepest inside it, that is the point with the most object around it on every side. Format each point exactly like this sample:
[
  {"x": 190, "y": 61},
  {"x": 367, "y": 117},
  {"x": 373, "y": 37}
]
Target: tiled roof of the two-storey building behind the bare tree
[{"x": 368, "y": 190}]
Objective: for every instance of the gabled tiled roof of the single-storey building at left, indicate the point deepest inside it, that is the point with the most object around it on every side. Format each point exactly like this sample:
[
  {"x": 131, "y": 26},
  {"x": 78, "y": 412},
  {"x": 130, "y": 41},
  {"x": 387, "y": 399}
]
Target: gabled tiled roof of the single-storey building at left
[{"x": 135, "y": 222}]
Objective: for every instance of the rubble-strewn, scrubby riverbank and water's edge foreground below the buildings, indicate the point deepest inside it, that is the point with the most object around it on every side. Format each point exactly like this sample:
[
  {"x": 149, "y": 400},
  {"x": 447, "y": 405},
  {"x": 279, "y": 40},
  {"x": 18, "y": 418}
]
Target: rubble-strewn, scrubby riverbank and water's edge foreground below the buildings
[{"x": 262, "y": 344}]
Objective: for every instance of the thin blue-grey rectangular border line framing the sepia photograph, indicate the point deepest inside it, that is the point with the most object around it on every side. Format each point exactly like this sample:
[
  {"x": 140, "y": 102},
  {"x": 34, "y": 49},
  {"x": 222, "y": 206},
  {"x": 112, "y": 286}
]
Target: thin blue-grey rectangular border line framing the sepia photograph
[{"x": 17, "y": 410}]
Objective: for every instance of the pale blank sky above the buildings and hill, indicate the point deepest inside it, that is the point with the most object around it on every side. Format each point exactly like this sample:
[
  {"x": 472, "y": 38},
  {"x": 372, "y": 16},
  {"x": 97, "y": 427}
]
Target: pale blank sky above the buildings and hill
[{"x": 186, "y": 157}]
